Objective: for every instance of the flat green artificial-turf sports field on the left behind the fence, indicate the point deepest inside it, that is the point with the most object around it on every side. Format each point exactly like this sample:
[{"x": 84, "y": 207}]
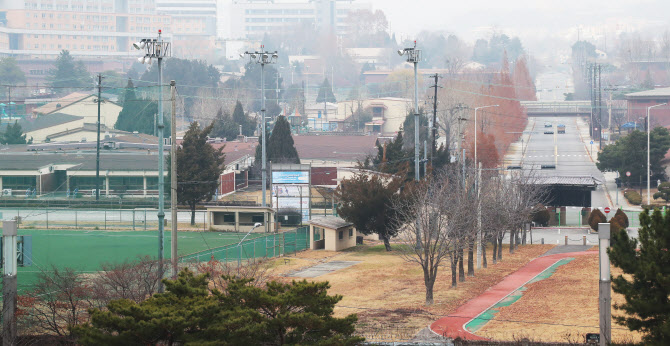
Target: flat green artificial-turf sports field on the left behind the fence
[{"x": 86, "y": 250}]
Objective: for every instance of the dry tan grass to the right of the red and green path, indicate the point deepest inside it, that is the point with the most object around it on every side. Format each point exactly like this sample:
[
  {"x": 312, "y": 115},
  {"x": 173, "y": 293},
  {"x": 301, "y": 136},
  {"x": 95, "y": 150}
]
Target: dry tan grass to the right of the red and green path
[{"x": 560, "y": 308}]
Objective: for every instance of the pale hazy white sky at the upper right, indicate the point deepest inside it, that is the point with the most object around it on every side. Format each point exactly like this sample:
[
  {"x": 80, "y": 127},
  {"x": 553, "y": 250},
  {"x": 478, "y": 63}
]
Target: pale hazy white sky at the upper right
[{"x": 530, "y": 20}]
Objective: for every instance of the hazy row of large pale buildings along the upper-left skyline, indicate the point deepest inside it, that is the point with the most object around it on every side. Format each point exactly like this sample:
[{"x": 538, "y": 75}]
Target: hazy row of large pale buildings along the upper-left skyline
[{"x": 95, "y": 29}]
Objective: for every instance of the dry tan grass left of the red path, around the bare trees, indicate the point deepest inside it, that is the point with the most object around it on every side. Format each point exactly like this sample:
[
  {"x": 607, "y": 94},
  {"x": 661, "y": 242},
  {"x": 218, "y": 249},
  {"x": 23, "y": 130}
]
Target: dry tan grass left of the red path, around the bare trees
[{"x": 388, "y": 293}]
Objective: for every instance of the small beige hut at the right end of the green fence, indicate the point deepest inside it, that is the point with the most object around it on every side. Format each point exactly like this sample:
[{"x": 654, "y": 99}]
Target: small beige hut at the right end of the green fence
[{"x": 331, "y": 233}]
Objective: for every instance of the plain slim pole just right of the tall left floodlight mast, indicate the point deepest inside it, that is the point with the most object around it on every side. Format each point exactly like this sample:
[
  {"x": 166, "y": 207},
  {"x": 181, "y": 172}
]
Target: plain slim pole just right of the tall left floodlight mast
[{"x": 173, "y": 181}]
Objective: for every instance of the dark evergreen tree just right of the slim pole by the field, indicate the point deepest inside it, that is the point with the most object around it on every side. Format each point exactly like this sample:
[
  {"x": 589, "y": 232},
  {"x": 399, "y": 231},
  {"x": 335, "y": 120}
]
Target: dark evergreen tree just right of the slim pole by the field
[{"x": 199, "y": 166}]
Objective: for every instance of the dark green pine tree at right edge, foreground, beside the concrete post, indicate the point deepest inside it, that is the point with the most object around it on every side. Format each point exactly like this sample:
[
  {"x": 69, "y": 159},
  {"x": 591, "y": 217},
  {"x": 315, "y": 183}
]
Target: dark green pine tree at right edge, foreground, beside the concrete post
[{"x": 646, "y": 263}]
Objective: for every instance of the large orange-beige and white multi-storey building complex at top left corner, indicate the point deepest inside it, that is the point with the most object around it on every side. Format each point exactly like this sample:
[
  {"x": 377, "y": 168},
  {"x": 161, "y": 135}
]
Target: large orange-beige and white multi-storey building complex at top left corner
[{"x": 43, "y": 28}]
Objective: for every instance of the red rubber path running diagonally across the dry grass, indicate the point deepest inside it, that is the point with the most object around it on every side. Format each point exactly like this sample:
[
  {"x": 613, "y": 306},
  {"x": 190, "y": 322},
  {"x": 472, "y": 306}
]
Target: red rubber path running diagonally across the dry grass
[{"x": 453, "y": 326}]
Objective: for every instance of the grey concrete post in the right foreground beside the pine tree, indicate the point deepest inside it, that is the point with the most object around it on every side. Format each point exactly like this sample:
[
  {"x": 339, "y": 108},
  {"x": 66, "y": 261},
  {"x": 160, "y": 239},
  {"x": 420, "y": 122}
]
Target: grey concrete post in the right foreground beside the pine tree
[{"x": 605, "y": 300}]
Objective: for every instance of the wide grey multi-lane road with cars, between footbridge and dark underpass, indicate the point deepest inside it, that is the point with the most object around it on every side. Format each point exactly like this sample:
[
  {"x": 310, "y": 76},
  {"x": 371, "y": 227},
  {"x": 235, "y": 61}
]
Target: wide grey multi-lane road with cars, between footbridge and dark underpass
[{"x": 566, "y": 151}]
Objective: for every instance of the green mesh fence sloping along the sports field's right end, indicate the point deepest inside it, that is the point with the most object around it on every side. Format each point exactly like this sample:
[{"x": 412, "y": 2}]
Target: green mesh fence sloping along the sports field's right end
[{"x": 268, "y": 246}]
